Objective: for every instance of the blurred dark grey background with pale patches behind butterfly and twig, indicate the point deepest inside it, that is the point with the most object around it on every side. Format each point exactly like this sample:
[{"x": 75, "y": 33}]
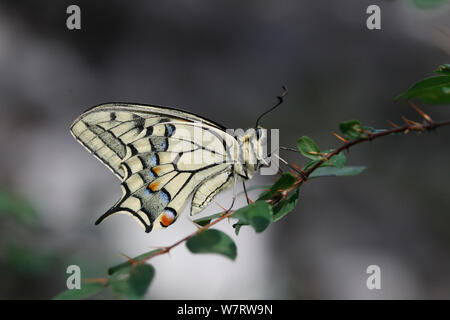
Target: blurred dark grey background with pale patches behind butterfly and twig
[{"x": 227, "y": 60}]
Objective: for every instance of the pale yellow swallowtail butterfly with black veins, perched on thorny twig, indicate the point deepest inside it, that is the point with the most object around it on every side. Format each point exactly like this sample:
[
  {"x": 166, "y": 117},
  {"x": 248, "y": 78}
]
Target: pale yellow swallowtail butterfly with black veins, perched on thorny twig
[{"x": 164, "y": 155}]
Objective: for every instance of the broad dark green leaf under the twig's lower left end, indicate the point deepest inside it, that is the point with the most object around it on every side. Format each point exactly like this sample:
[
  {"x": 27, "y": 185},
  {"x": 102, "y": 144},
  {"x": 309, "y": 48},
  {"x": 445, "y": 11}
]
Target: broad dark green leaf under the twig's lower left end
[{"x": 132, "y": 282}]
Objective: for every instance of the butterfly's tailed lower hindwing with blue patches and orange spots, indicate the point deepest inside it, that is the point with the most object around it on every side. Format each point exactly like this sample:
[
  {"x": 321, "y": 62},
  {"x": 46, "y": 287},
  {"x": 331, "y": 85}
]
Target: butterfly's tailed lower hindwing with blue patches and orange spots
[{"x": 157, "y": 195}]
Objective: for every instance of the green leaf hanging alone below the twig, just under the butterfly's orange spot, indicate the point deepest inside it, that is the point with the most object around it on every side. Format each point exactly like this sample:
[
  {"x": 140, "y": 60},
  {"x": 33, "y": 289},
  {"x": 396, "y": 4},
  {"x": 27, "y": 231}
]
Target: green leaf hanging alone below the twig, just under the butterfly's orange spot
[{"x": 212, "y": 241}]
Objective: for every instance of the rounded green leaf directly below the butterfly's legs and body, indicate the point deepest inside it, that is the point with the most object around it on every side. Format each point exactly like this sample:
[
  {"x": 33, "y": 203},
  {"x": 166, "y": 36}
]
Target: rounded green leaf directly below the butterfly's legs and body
[{"x": 259, "y": 215}]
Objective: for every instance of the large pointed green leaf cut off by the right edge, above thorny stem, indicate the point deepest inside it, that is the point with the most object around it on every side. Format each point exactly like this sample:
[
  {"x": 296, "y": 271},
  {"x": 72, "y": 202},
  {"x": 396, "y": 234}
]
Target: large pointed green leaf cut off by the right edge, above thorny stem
[{"x": 434, "y": 90}]
